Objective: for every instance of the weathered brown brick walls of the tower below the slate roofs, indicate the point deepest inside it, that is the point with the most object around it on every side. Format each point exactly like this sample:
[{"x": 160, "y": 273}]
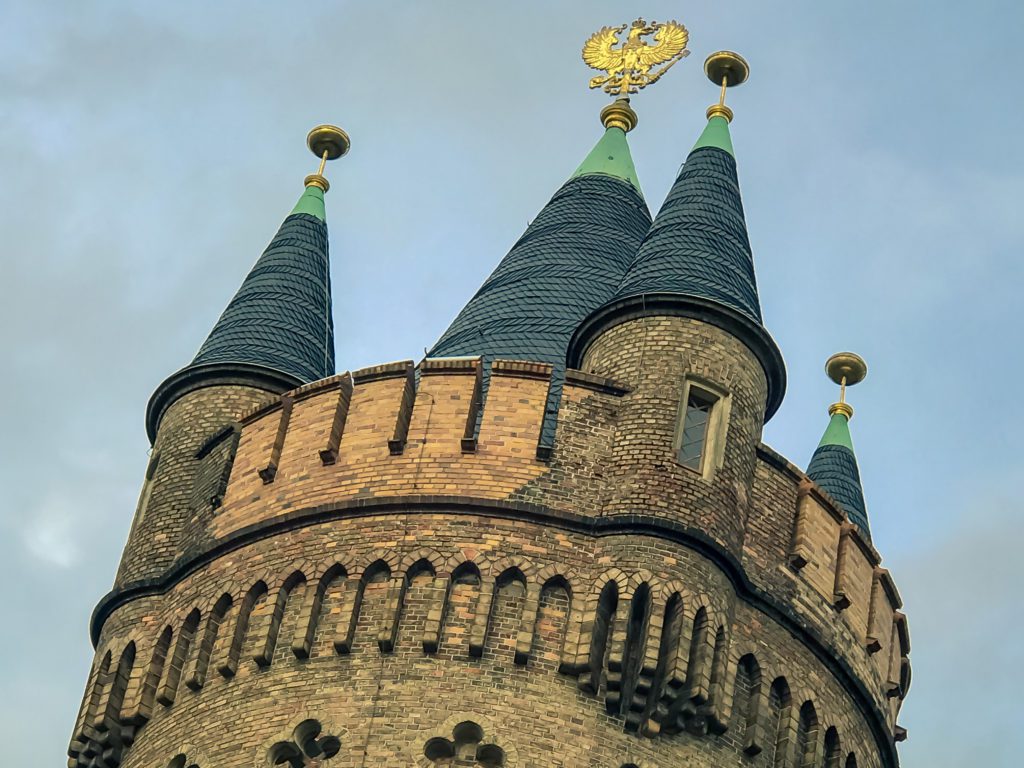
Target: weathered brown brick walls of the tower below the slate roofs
[{"x": 602, "y": 608}]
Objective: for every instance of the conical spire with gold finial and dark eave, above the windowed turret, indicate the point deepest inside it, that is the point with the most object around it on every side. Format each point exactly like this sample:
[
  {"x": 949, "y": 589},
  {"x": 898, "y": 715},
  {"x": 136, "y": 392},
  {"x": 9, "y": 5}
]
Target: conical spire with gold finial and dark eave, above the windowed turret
[{"x": 697, "y": 259}]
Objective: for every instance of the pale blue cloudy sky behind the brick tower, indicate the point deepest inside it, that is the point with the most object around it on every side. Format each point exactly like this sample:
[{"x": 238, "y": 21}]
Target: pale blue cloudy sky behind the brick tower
[{"x": 150, "y": 151}]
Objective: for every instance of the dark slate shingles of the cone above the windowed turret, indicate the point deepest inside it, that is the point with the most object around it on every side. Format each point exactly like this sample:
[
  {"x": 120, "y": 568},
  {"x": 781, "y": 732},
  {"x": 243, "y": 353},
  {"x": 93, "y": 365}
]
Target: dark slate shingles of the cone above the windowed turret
[{"x": 698, "y": 245}]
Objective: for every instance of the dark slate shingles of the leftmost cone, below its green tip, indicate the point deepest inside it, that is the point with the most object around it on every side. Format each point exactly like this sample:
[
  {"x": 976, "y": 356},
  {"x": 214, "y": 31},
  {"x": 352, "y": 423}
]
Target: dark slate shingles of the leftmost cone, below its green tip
[{"x": 281, "y": 317}]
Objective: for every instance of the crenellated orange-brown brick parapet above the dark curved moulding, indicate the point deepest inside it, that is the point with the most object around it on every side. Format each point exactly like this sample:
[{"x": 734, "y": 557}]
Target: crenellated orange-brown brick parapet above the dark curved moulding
[{"x": 394, "y": 437}]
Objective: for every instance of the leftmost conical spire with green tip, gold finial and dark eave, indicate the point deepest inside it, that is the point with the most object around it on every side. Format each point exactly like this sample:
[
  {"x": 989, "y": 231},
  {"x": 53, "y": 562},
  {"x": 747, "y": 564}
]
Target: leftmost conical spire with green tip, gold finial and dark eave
[{"x": 277, "y": 332}]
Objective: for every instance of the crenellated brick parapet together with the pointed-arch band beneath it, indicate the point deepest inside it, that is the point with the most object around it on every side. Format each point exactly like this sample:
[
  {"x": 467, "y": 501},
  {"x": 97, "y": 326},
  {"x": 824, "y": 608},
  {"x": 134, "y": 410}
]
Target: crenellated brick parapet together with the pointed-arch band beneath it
[{"x": 406, "y": 454}]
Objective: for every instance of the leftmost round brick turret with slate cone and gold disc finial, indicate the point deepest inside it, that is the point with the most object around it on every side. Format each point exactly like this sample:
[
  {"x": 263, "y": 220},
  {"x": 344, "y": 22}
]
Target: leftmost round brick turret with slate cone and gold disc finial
[{"x": 276, "y": 334}]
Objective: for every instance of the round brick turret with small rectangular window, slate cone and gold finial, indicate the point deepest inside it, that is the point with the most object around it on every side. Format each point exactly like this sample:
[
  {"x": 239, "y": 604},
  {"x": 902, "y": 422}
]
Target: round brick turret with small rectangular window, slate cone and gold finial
[{"x": 685, "y": 333}]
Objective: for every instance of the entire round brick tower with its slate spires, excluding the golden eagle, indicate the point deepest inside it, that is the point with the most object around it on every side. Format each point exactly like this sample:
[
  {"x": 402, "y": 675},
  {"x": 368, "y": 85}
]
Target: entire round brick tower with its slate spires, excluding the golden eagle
[{"x": 557, "y": 541}]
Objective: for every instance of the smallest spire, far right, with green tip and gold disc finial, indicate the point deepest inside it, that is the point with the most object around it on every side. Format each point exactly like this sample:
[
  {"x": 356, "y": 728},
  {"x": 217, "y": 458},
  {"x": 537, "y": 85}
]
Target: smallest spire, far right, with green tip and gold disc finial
[{"x": 834, "y": 465}]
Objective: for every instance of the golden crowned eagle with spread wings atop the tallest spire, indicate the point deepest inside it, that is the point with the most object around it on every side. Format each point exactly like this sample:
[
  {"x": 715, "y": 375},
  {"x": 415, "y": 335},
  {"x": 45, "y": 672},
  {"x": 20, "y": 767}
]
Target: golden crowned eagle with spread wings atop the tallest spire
[{"x": 629, "y": 68}]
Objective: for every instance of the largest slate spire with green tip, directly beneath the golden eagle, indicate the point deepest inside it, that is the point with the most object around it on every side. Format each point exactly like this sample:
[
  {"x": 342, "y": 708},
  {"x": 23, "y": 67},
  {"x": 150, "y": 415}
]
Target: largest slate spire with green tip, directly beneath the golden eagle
[{"x": 568, "y": 263}]
